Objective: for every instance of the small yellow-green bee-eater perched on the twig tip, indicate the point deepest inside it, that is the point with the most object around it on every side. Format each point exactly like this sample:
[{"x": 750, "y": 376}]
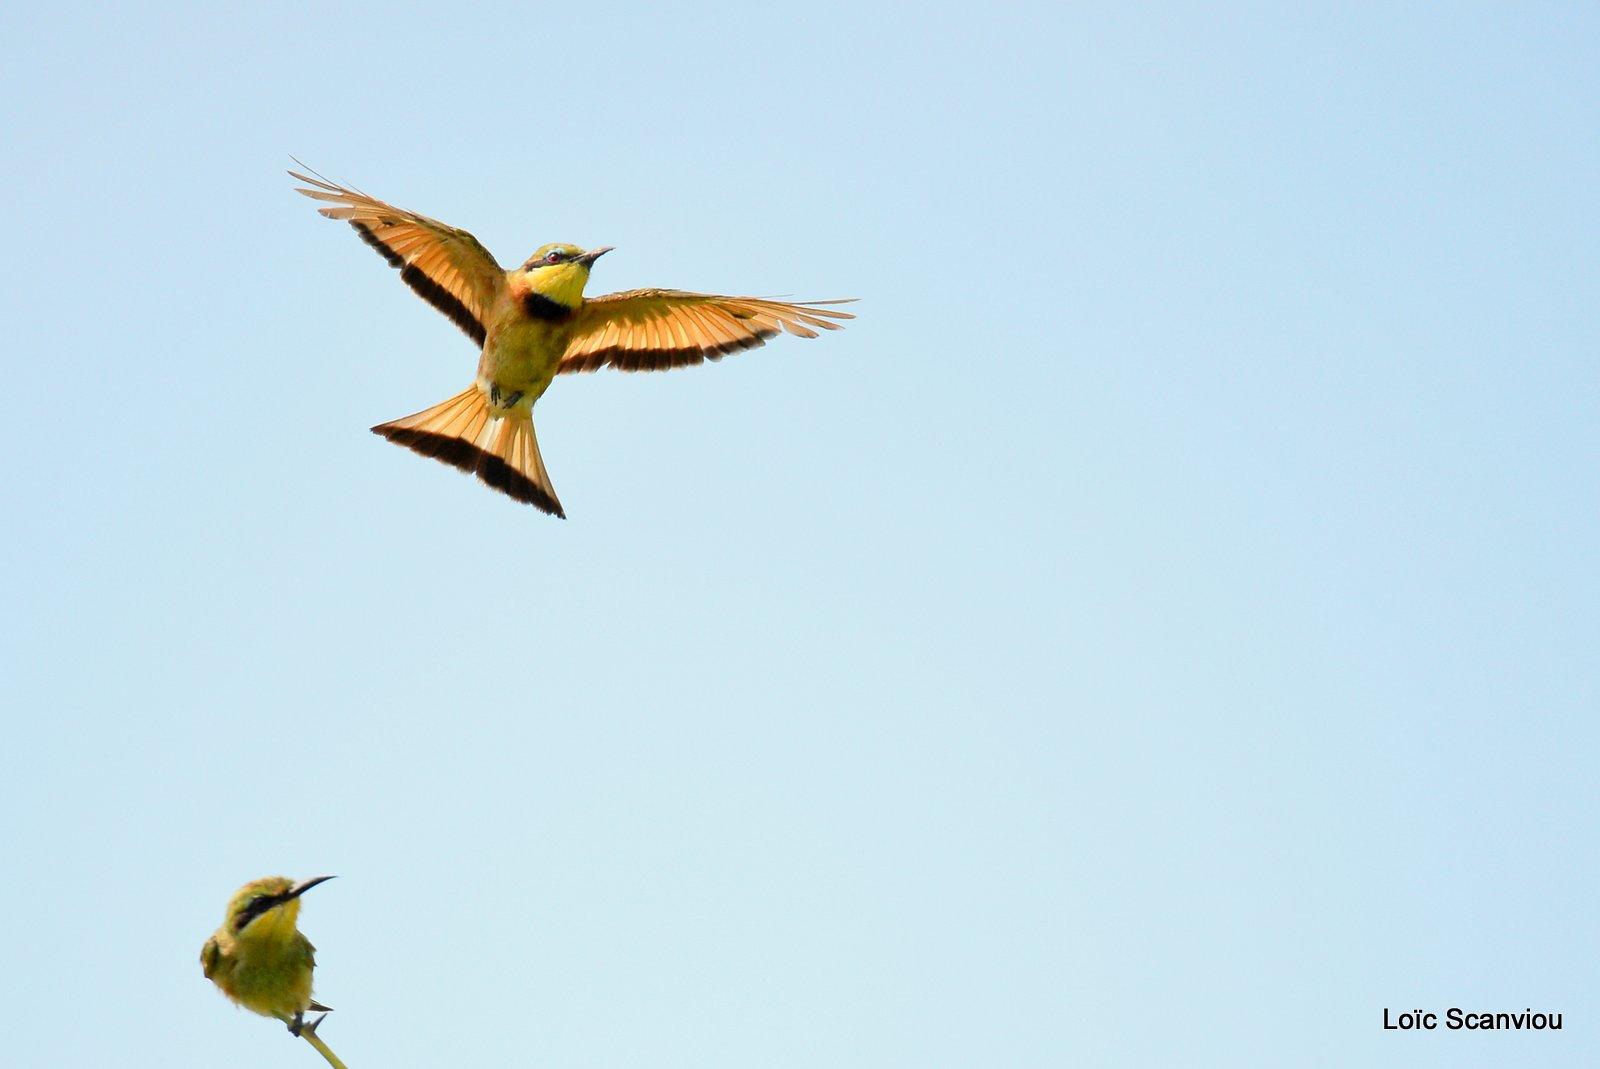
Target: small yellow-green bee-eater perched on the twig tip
[{"x": 258, "y": 958}]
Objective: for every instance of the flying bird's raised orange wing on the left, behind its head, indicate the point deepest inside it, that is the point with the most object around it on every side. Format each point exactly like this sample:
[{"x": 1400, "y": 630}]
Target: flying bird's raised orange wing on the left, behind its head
[{"x": 449, "y": 268}]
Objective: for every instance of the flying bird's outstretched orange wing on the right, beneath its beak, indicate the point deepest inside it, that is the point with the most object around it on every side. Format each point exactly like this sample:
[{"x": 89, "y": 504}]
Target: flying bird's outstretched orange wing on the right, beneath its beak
[{"x": 652, "y": 330}]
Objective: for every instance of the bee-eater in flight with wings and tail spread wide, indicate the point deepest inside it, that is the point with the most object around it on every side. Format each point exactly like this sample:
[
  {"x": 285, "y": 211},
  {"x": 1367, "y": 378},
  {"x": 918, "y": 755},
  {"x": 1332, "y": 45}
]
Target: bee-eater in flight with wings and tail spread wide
[{"x": 532, "y": 324}]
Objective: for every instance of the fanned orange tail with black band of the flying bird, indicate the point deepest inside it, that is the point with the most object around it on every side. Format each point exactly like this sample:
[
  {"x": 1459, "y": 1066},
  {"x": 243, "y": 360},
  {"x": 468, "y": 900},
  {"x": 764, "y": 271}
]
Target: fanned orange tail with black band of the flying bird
[{"x": 500, "y": 452}]
